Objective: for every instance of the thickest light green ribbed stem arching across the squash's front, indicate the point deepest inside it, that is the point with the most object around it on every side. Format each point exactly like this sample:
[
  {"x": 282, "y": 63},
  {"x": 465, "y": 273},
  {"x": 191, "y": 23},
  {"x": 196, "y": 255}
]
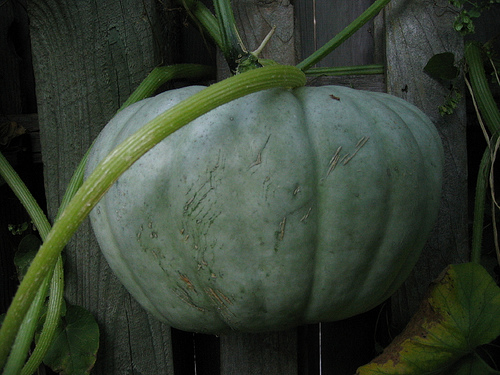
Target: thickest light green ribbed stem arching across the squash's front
[{"x": 108, "y": 171}]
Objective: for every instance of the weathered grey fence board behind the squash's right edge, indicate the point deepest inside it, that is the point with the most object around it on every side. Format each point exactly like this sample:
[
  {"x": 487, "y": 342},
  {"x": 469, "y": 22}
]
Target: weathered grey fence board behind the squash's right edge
[{"x": 415, "y": 31}]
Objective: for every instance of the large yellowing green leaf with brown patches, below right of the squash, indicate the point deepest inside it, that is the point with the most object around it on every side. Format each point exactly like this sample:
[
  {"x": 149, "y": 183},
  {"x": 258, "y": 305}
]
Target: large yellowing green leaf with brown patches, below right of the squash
[{"x": 460, "y": 313}]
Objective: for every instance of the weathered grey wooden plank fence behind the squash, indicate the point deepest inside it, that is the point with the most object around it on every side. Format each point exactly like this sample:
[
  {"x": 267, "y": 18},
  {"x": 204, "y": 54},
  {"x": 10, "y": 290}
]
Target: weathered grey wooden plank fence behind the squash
[{"x": 87, "y": 58}]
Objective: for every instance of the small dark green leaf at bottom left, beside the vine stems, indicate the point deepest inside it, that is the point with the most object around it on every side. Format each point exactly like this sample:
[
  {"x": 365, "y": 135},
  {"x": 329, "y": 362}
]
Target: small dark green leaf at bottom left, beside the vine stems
[{"x": 76, "y": 342}]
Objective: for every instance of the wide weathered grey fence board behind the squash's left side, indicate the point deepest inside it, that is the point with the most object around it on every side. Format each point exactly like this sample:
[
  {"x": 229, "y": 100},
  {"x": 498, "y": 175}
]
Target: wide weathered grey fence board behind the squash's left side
[{"x": 88, "y": 57}]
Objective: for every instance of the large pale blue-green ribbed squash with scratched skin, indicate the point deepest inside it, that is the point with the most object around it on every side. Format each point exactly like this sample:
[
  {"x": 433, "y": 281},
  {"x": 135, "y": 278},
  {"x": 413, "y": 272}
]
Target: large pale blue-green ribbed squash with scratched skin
[{"x": 281, "y": 208}]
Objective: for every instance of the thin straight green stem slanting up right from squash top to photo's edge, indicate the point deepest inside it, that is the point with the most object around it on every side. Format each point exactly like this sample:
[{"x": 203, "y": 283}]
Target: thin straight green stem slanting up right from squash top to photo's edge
[{"x": 354, "y": 26}]
